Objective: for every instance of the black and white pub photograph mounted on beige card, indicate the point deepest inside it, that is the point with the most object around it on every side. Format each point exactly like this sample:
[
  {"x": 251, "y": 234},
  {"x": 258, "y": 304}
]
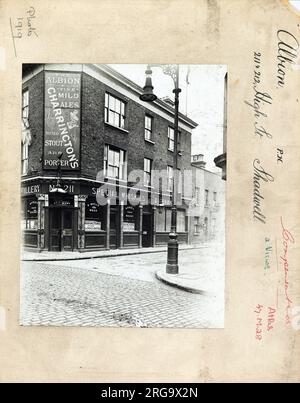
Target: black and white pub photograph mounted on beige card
[{"x": 123, "y": 185}]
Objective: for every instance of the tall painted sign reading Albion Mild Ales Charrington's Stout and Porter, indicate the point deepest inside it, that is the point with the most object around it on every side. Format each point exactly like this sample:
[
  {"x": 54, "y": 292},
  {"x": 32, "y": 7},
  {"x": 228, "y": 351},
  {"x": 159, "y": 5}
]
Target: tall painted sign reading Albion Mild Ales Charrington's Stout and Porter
[{"x": 62, "y": 120}]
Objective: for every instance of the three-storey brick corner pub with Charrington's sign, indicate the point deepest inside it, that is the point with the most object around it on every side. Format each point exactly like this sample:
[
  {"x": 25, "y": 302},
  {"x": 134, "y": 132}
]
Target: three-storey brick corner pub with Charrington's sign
[{"x": 77, "y": 120}]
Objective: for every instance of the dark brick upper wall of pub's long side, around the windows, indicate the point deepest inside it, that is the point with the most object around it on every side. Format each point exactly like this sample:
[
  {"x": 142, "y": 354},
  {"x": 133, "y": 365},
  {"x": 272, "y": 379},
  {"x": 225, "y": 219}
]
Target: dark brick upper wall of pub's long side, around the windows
[{"x": 95, "y": 133}]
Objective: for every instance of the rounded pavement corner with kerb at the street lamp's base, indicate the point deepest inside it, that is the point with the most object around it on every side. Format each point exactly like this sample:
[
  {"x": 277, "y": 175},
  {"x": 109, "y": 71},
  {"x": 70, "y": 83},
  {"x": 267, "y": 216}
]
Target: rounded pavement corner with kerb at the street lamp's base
[{"x": 183, "y": 281}]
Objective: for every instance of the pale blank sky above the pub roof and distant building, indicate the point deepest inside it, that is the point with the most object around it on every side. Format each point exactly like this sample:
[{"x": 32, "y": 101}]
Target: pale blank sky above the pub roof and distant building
[{"x": 202, "y": 100}]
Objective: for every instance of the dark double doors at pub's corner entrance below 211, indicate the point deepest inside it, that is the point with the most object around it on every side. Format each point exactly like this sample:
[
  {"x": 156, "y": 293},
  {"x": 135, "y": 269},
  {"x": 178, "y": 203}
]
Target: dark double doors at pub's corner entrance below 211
[{"x": 61, "y": 229}]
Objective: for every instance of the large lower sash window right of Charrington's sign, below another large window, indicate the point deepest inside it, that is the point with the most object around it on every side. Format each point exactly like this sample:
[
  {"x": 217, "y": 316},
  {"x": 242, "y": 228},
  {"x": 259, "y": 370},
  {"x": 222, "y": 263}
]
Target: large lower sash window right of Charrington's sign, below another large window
[{"x": 114, "y": 162}]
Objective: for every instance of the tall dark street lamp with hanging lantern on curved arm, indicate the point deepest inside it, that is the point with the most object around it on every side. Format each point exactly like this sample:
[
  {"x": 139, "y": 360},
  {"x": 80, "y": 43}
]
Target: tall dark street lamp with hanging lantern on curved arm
[{"x": 148, "y": 96}]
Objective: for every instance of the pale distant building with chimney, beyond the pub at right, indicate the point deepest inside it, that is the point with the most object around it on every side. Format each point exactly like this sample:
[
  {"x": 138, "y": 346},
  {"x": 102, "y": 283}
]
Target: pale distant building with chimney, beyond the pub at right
[{"x": 208, "y": 206}]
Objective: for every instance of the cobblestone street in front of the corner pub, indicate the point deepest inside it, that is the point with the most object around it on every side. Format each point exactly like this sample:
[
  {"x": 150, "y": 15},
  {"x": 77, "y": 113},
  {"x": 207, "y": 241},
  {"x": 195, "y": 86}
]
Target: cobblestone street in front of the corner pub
[{"x": 119, "y": 291}]
